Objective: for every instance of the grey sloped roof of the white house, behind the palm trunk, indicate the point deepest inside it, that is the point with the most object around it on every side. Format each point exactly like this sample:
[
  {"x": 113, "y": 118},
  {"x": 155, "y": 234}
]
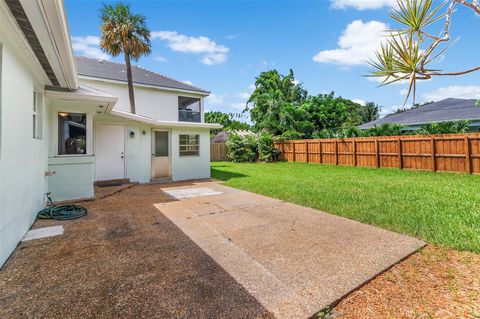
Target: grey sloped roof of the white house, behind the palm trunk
[{"x": 116, "y": 71}]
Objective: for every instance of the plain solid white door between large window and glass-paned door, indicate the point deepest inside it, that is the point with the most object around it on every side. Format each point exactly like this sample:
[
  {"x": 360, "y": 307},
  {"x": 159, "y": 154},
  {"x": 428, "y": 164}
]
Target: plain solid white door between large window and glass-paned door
[{"x": 110, "y": 152}]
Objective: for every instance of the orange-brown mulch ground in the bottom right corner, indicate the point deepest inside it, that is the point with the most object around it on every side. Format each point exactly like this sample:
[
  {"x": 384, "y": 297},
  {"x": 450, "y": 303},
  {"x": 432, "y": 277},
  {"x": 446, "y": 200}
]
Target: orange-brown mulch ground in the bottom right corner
[{"x": 434, "y": 283}]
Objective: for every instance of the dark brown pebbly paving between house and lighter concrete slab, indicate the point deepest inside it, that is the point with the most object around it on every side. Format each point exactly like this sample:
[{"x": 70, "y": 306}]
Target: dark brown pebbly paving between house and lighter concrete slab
[{"x": 125, "y": 259}]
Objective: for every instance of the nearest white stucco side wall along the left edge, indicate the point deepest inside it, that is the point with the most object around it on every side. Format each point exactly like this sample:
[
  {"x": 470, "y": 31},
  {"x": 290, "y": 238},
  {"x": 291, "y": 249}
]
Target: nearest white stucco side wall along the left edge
[{"x": 23, "y": 159}]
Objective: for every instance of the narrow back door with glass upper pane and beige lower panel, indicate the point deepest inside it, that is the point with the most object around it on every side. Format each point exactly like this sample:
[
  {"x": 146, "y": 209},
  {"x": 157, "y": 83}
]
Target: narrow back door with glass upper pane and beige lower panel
[{"x": 160, "y": 154}]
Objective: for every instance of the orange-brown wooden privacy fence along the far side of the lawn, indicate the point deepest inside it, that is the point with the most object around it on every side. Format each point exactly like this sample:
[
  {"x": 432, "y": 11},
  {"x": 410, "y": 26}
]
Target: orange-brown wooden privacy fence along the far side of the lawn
[{"x": 447, "y": 153}]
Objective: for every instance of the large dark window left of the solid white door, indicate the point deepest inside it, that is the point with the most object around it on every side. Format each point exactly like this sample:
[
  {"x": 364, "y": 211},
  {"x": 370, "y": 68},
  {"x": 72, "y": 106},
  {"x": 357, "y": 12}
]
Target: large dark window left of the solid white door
[{"x": 72, "y": 133}]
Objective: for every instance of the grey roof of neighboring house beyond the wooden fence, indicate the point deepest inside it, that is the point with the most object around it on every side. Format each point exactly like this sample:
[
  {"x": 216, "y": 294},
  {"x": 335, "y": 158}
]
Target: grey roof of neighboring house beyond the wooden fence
[{"x": 445, "y": 110}]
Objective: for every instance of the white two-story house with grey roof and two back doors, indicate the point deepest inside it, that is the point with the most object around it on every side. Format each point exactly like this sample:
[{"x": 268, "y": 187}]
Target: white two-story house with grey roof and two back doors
[{"x": 65, "y": 122}]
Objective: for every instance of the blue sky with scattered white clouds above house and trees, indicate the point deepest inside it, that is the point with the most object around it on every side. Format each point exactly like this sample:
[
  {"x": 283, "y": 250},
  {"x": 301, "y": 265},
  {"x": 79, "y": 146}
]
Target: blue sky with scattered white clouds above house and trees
[{"x": 222, "y": 46}]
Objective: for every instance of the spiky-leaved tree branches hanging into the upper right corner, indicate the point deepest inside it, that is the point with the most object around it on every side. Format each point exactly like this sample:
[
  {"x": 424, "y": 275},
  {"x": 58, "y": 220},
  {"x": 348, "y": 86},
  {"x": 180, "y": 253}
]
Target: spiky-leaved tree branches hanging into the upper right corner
[{"x": 408, "y": 51}]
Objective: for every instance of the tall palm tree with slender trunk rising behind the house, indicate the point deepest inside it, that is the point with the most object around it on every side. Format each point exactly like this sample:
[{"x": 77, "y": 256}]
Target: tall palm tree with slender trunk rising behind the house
[{"x": 123, "y": 31}]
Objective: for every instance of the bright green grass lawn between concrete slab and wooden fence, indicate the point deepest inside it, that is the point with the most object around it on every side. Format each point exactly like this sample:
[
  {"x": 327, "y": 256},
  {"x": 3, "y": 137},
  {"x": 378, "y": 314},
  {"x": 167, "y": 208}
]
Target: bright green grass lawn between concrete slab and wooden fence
[{"x": 441, "y": 208}]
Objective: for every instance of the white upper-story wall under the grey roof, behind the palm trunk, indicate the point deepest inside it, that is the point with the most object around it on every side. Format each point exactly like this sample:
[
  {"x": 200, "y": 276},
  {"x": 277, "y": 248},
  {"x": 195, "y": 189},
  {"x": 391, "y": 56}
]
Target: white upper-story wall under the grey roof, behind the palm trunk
[{"x": 151, "y": 102}]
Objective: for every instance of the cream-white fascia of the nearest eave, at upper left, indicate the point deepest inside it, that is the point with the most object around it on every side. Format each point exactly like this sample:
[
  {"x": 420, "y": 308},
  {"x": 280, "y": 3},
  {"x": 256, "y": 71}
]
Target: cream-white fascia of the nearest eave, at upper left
[{"x": 56, "y": 20}]
